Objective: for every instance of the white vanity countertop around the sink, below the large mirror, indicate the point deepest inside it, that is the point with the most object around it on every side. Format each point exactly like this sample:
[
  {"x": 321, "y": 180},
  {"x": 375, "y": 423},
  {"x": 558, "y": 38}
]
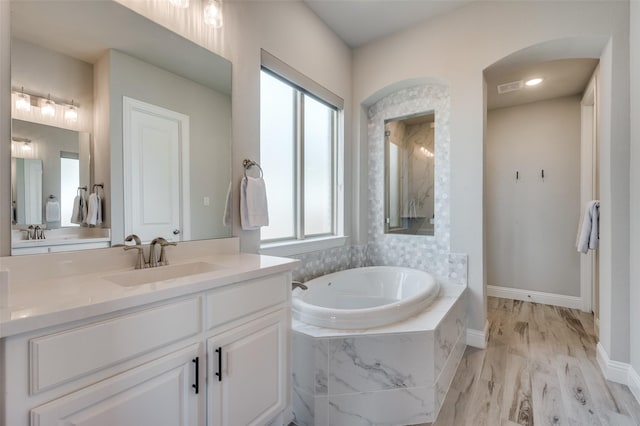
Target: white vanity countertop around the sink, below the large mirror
[{"x": 48, "y": 302}]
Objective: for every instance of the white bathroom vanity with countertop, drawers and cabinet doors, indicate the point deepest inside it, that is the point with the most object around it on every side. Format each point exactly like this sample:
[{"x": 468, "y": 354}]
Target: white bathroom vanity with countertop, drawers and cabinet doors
[{"x": 204, "y": 340}]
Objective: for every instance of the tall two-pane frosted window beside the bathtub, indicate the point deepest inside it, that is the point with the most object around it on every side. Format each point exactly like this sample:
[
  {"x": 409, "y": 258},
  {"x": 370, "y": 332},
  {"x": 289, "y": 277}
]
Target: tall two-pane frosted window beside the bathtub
[{"x": 299, "y": 153}]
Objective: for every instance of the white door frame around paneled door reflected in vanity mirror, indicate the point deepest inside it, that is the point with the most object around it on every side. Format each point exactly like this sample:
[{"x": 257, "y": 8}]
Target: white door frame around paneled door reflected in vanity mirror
[{"x": 130, "y": 105}]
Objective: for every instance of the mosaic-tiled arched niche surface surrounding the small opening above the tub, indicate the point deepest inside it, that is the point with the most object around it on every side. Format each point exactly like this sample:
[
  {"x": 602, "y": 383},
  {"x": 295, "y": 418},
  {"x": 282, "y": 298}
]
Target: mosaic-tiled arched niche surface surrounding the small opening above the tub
[{"x": 421, "y": 252}]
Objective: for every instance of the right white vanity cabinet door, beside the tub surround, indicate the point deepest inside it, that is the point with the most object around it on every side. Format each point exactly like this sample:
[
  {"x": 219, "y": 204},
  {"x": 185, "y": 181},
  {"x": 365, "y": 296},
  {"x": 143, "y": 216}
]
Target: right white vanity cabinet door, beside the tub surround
[{"x": 251, "y": 360}]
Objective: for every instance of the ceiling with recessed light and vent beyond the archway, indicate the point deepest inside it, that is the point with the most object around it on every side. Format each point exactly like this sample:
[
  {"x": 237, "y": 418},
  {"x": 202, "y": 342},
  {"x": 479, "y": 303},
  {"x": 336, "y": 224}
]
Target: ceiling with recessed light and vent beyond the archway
[{"x": 563, "y": 77}]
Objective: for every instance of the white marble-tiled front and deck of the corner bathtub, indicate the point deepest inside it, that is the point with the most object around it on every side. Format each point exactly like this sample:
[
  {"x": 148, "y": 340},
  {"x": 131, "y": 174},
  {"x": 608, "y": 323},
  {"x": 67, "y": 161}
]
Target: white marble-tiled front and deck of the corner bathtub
[{"x": 394, "y": 375}]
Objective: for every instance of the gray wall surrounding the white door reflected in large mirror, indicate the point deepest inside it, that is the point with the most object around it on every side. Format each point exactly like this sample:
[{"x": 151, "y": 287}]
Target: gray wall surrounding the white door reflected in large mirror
[{"x": 209, "y": 146}]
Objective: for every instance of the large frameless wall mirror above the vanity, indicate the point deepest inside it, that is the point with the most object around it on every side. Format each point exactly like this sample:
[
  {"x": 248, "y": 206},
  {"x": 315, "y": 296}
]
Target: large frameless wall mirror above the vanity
[{"x": 160, "y": 168}]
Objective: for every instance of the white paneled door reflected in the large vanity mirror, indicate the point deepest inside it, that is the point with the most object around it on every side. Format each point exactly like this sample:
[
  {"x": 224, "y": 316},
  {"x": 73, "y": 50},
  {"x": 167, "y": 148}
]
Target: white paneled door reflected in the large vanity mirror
[{"x": 156, "y": 171}]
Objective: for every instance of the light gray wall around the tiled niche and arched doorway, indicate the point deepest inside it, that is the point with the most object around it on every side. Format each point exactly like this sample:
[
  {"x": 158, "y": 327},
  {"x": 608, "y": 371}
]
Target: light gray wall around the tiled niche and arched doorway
[{"x": 440, "y": 48}]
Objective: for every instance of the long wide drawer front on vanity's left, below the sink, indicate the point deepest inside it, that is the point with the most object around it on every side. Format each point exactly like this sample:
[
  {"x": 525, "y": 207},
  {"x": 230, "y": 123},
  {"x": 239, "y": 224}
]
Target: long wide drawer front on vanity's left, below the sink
[{"x": 70, "y": 354}]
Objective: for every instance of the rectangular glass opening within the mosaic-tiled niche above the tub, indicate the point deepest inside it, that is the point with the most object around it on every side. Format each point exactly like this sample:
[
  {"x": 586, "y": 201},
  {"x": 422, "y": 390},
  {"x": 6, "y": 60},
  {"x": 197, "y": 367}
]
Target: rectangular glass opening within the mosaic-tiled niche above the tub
[{"x": 409, "y": 174}]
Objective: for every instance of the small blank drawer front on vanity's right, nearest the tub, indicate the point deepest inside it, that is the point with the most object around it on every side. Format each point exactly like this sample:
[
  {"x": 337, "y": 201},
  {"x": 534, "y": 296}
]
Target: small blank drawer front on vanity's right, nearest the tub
[{"x": 237, "y": 300}]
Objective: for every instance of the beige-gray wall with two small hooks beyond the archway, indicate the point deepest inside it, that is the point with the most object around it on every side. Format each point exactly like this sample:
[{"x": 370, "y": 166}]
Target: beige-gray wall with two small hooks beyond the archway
[{"x": 531, "y": 224}]
